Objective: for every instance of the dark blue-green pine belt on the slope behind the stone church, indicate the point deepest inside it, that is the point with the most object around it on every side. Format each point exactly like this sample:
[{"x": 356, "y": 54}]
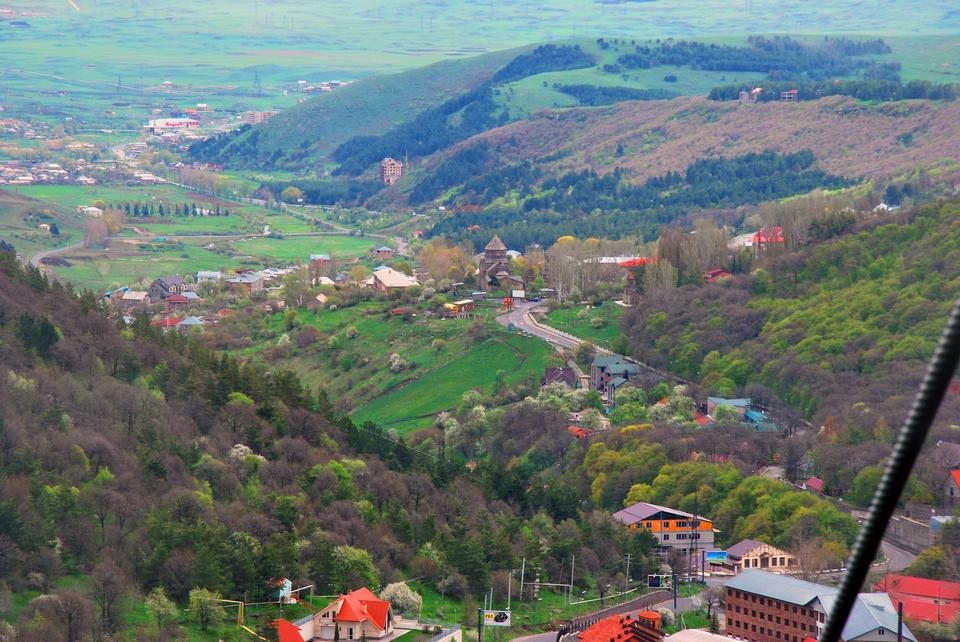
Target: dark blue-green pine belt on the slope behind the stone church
[{"x": 589, "y": 204}]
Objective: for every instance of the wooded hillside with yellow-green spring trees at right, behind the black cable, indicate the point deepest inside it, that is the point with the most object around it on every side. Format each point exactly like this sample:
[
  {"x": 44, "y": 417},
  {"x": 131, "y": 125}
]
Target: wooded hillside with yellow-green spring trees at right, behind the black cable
[{"x": 841, "y": 330}]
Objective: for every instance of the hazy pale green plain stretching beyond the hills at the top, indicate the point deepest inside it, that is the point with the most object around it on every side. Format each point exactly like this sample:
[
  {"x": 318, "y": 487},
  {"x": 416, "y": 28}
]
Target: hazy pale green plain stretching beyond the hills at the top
[{"x": 103, "y": 63}]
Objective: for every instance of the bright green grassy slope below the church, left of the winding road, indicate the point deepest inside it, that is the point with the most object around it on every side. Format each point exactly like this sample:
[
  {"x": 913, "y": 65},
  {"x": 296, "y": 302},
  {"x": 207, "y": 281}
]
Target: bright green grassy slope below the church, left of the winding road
[{"x": 443, "y": 359}]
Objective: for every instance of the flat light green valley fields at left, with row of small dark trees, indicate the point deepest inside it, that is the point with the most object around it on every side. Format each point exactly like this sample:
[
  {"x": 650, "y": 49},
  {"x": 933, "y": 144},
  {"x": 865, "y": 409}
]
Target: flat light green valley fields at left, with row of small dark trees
[{"x": 149, "y": 247}]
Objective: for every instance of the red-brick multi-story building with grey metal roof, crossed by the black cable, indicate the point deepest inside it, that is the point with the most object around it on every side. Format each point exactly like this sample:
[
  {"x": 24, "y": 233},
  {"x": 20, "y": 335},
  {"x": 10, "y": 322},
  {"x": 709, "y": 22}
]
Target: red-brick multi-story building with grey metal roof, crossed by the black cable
[{"x": 765, "y": 607}]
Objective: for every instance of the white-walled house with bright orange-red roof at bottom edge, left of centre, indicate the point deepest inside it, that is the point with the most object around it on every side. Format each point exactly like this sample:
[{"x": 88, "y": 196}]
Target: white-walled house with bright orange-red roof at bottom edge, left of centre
[{"x": 358, "y": 614}]
